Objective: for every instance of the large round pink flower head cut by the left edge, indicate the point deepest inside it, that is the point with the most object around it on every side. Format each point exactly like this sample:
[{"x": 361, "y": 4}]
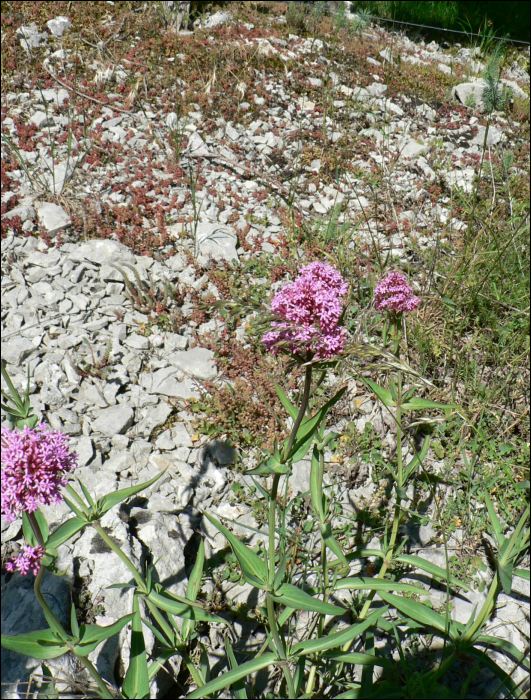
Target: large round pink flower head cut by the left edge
[{"x": 34, "y": 467}]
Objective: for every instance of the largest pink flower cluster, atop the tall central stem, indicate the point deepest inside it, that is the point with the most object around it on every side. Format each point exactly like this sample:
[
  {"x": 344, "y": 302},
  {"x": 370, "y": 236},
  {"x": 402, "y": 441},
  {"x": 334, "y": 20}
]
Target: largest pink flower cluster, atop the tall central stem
[{"x": 310, "y": 309}]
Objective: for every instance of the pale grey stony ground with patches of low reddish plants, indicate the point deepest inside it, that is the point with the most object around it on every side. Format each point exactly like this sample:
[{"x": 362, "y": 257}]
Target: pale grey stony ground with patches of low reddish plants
[{"x": 141, "y": 180}]
